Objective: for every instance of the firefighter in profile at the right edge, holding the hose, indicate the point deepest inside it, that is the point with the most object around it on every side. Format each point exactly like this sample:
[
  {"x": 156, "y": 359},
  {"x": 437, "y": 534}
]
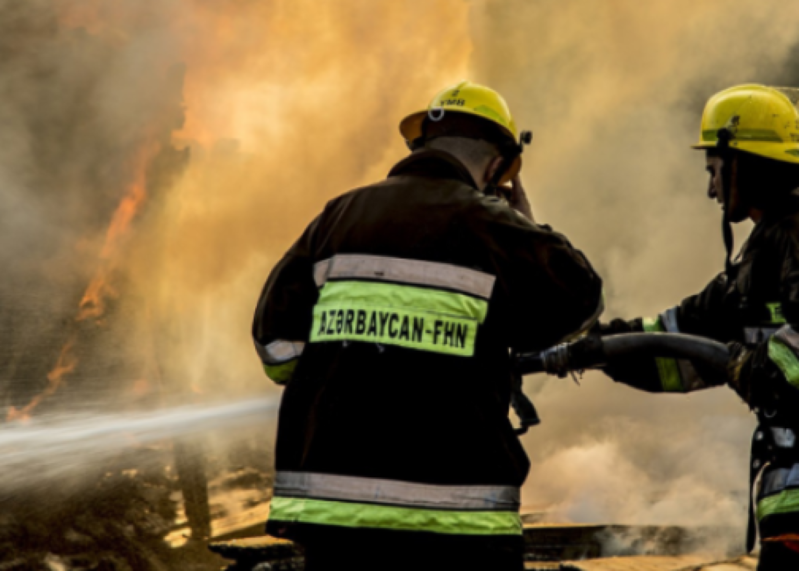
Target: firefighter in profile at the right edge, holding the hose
[{"x": 750, "y": 134}]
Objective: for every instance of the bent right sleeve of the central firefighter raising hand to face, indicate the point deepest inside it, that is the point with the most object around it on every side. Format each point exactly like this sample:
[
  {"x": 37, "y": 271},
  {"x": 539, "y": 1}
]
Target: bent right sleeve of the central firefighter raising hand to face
[{"x": 555, "y": 293}]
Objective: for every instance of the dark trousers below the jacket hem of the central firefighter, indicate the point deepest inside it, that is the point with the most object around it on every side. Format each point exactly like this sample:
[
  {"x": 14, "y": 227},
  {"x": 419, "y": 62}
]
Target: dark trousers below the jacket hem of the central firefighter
[{"x": 402, "y": 555}]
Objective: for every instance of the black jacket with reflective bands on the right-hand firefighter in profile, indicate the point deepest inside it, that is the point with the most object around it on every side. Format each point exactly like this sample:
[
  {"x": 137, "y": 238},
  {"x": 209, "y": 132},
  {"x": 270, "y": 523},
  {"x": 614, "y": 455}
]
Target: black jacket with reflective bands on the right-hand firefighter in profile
[{"x": 758, "y": 307}]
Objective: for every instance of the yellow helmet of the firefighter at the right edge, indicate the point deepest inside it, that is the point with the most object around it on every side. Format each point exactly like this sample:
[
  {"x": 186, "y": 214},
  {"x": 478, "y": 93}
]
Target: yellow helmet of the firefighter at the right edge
[{"x": 762, "y": 120}]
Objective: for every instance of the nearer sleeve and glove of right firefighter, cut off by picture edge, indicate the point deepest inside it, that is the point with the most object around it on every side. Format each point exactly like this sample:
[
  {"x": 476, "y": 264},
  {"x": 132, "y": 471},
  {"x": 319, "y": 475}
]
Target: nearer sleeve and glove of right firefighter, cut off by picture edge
[{"x": 766, "y": 375}]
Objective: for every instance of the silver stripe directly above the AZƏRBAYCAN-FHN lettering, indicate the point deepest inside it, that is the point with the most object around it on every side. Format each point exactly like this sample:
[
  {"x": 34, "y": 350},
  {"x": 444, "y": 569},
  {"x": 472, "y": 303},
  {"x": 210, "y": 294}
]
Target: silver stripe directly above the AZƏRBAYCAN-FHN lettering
[{"x": 402, "y": 270}]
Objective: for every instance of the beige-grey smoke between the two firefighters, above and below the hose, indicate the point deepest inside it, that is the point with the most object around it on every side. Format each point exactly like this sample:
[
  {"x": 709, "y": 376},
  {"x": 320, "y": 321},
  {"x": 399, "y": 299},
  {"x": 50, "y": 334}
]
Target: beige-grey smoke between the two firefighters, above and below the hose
[{"x": 614, "y": 92}]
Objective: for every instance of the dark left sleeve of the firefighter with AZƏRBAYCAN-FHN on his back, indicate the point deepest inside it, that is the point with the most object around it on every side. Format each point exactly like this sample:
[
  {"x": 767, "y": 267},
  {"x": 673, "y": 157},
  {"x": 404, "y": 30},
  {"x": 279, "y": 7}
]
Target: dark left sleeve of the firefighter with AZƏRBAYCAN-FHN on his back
[{"x": 284, "y": 312}]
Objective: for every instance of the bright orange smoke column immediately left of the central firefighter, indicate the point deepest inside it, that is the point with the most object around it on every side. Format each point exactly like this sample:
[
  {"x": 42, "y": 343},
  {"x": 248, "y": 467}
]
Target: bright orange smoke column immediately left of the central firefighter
[{"x": 288, "y": 104}]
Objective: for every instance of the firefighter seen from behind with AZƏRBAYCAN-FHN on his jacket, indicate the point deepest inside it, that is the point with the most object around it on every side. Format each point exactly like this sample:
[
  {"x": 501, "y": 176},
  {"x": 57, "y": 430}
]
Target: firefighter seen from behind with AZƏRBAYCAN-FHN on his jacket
[{"x": 389, "y": 323}]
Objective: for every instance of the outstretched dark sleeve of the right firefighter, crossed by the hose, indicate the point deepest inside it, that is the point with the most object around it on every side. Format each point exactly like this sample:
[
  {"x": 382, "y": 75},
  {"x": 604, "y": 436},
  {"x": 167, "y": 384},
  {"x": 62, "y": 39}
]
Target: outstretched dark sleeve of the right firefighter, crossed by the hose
[{"x": 702, "y": 314}]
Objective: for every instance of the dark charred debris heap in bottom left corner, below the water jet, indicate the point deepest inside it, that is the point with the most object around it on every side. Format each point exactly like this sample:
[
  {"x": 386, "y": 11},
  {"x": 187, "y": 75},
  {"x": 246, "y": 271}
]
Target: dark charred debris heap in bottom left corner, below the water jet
[{"x": 117, "y": 523}]
